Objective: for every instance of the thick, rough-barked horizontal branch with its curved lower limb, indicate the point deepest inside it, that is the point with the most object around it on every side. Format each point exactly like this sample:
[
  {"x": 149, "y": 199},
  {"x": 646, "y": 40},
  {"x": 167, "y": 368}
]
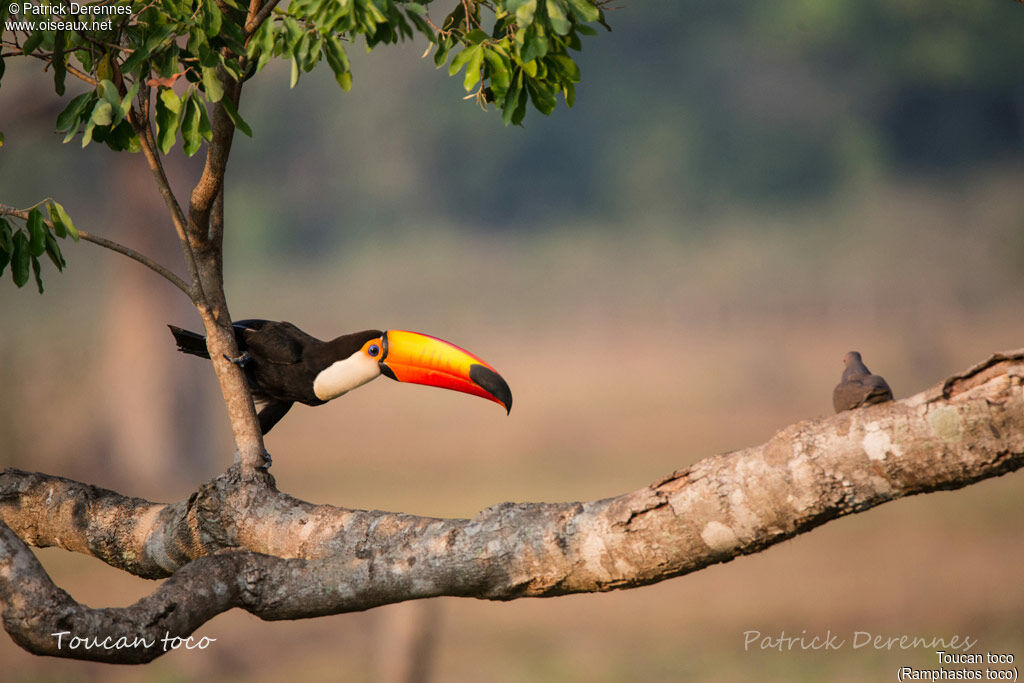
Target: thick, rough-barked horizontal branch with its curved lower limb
[{"x": 238, "y": 542}]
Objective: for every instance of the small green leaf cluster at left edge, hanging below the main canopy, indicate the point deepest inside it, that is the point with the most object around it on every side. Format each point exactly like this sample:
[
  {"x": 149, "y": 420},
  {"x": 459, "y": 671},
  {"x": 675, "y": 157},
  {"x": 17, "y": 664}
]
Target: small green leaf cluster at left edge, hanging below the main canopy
[{"x": 22, "y": 247}]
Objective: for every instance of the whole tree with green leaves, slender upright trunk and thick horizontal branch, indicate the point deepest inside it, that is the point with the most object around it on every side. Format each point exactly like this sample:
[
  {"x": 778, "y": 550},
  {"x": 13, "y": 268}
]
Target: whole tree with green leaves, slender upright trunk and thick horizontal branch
[{"x": 238, "y": 542}]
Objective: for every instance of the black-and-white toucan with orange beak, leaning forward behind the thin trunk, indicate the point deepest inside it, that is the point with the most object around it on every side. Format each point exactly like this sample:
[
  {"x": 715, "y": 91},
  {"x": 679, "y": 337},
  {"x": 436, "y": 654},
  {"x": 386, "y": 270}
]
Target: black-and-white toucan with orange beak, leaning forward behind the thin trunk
[{"x": 285, "y": 365}]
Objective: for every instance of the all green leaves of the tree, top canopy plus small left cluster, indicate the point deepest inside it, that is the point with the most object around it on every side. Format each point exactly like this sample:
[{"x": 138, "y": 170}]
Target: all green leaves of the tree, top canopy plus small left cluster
[{"x": 156, "y": 68}]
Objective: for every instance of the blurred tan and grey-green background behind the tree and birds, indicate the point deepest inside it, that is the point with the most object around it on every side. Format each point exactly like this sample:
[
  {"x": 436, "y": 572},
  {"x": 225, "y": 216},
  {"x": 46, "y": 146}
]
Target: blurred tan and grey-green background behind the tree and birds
[{"x": 670, "y": 270}]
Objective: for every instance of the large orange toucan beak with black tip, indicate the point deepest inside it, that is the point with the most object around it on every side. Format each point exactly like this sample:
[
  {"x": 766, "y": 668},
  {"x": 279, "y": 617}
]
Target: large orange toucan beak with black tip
[{"x": 410, "y": 357}]
